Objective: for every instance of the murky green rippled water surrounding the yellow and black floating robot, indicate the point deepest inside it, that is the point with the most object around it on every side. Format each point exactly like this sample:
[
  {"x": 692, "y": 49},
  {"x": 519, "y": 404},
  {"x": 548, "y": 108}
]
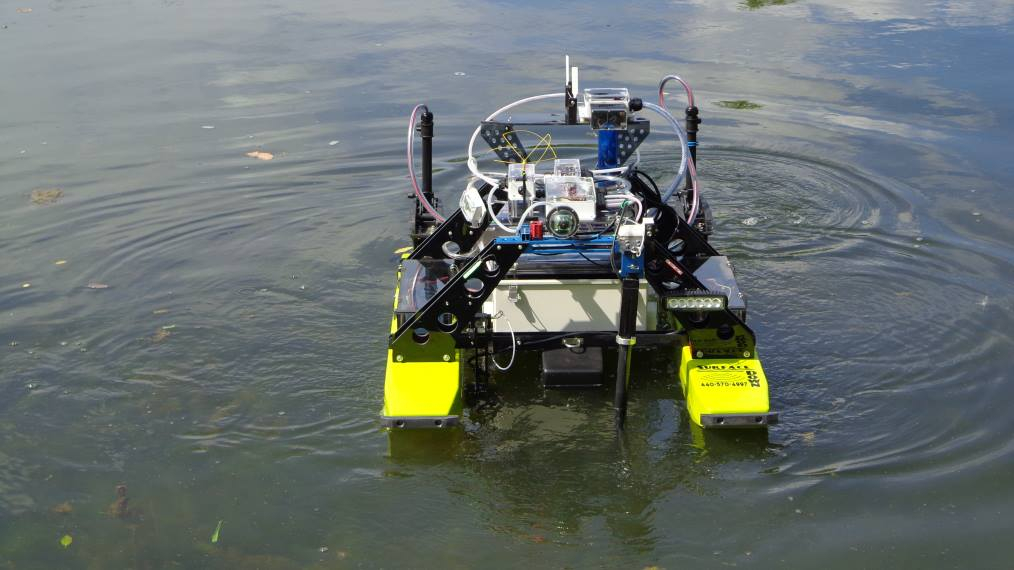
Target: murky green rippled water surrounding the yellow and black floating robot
[{"x": 215, "y": 338}]
